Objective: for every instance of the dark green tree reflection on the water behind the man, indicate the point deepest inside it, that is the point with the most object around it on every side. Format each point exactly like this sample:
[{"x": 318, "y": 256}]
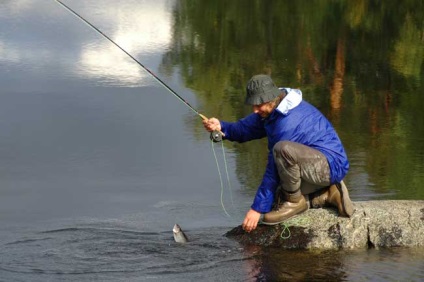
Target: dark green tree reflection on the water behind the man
[{"x": 360, "y": 62}]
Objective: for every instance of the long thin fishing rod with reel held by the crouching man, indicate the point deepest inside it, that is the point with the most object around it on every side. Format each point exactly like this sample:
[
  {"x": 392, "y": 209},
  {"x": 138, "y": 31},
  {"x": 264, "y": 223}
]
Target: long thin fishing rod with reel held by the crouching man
[{"x": 215, "y": 136}]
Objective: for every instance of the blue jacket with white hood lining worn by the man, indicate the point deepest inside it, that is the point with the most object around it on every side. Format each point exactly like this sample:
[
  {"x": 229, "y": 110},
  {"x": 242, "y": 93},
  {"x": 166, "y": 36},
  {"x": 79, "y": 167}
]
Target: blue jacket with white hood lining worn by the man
[{"x": 293, "y": 120}]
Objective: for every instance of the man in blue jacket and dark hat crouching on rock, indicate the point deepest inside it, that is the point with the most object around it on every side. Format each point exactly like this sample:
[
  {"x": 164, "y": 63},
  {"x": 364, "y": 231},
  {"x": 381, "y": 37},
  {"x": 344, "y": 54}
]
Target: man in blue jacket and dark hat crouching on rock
[{"x": 306, "y": 158}]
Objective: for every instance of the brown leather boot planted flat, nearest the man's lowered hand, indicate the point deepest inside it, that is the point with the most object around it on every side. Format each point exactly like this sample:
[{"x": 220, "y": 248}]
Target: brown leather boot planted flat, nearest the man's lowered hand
[{"x": 295, "y": 204}]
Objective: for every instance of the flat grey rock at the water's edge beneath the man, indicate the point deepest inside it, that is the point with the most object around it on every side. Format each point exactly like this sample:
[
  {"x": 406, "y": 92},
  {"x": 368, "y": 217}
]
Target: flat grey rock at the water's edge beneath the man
[{"x": 374, "y": 224}]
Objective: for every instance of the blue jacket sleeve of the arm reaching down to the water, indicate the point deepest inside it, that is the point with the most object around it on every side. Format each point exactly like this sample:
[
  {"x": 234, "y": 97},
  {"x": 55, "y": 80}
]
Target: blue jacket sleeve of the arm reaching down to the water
[{"x": 266, "y": 191}]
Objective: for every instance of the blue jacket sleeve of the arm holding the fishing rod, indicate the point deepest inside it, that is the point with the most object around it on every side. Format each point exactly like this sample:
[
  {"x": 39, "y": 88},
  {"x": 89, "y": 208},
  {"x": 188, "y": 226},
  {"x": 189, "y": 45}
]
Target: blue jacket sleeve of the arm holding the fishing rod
[{"x": 249, "y": 128}]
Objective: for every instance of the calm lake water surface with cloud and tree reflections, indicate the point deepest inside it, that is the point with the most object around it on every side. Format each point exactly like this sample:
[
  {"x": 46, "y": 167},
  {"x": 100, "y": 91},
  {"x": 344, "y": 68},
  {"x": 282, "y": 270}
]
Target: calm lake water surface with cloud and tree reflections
[{"x": 98, "y": 161}]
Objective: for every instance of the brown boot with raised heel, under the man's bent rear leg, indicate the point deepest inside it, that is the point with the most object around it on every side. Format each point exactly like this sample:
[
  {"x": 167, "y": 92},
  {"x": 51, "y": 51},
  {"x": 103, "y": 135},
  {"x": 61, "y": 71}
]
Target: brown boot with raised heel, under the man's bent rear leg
[{"x": 336, "y": 196}]
